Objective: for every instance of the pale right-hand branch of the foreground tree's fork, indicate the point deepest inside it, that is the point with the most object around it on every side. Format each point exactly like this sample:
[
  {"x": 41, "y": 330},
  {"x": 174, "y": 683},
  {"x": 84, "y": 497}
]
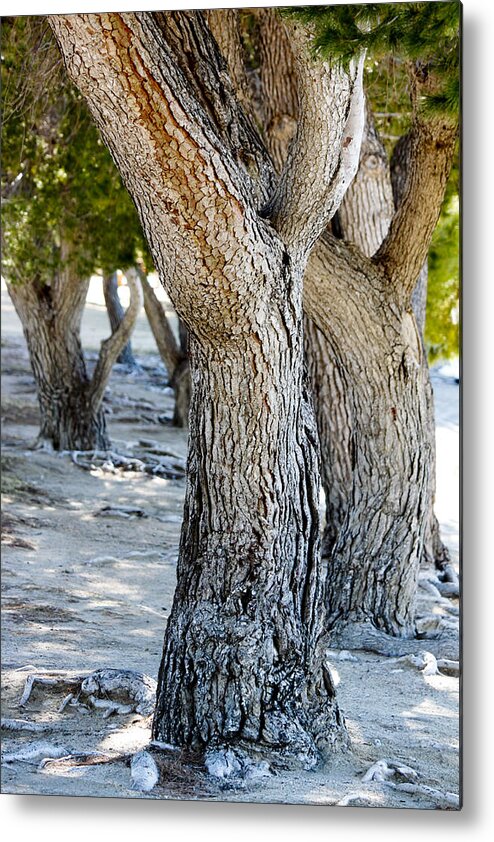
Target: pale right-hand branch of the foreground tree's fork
[{"x": 324, "y": 155}]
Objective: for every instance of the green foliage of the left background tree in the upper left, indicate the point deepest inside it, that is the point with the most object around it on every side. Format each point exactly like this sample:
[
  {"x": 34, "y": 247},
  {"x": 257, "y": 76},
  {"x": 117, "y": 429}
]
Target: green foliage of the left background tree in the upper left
[{"x": 62, "y": 198}]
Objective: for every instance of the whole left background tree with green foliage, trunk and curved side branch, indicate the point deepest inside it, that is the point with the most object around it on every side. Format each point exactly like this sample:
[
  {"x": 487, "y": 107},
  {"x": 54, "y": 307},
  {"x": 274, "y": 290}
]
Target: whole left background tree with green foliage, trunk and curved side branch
[{"x": 64, "y": 214}]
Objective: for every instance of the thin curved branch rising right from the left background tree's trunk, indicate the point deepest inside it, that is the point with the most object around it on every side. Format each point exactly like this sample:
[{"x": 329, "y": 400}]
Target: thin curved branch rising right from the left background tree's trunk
[{"x": 114, "y": 345}]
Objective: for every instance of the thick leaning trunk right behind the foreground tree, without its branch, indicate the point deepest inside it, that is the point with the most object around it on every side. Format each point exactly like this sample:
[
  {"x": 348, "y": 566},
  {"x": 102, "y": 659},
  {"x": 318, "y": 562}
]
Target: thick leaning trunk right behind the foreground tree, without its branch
[{"x": 373, "y": 566}]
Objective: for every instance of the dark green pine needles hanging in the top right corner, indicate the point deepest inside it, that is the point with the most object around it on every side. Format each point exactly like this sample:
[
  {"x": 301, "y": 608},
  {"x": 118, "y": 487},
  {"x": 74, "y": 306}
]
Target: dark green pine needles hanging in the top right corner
[{"x": 423, "y": 37}]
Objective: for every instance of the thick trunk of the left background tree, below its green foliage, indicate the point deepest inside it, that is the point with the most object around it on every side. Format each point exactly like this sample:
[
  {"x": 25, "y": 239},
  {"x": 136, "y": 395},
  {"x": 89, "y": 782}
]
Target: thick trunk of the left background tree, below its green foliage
[{"x": 70, "y": 420}]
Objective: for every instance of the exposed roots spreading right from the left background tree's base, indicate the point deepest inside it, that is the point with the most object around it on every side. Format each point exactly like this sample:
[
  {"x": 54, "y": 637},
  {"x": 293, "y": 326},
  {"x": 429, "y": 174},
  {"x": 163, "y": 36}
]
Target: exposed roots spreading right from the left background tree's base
[{"x": 108, "y": 461}]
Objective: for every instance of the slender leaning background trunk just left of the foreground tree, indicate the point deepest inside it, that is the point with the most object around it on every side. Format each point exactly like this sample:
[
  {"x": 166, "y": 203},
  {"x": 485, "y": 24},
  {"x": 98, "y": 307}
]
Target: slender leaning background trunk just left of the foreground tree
[{"x": 174, "y": 356}]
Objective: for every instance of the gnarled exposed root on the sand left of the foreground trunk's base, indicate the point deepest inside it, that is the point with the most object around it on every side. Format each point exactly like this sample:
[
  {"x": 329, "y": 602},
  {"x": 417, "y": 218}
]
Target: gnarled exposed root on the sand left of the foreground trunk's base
[{"x": 114, "y": 691}]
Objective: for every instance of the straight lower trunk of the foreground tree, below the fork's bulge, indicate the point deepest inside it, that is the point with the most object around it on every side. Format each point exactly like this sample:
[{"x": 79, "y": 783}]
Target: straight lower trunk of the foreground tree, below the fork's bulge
[{"x": 242, "y": 661}]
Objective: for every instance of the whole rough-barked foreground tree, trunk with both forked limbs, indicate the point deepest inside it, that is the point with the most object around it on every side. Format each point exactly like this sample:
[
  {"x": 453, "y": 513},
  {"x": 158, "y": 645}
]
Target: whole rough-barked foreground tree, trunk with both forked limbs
[{"x": 243, "y": 654}]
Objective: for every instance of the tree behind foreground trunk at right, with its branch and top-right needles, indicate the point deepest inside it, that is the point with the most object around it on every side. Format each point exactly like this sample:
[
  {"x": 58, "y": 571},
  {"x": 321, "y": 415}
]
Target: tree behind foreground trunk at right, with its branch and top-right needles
[{"x": 373, "y": 565}]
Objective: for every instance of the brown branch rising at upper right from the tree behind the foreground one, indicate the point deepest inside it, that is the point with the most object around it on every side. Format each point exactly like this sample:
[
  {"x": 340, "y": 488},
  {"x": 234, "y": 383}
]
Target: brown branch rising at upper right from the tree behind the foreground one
[{"x": 404, "y": 249}]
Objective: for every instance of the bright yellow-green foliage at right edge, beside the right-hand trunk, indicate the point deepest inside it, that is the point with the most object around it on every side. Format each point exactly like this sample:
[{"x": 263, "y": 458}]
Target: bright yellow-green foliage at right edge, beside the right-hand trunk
[{"x": 441, "y": 327}]
